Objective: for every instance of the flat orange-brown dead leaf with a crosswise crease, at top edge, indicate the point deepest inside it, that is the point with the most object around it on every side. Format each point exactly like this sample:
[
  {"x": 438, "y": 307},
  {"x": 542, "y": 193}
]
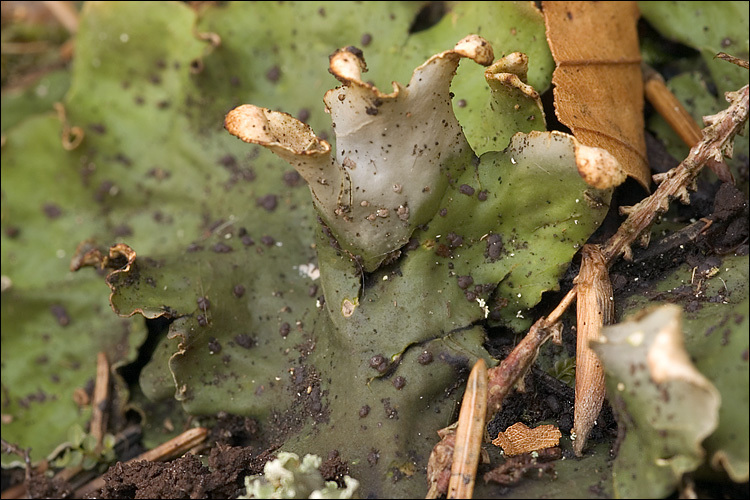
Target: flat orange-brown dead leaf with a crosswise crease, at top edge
[{"x": 598, "y": 86}]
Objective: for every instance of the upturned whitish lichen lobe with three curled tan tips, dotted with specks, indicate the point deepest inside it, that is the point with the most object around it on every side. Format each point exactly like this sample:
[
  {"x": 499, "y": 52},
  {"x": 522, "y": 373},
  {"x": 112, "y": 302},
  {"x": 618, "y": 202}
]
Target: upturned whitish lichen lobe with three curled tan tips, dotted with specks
[{"x": 409, "y": 138}]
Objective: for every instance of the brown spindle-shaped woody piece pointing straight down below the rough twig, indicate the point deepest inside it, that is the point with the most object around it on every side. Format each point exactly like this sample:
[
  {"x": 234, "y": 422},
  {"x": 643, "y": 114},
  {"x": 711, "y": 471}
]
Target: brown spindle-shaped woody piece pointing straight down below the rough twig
[{"x": 595, "y": 309}]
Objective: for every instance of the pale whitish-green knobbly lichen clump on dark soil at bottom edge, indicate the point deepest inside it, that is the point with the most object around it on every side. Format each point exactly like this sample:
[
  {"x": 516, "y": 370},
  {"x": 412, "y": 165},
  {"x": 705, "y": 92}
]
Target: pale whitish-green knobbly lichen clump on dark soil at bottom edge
[{"x": 287, "y": 477}]
